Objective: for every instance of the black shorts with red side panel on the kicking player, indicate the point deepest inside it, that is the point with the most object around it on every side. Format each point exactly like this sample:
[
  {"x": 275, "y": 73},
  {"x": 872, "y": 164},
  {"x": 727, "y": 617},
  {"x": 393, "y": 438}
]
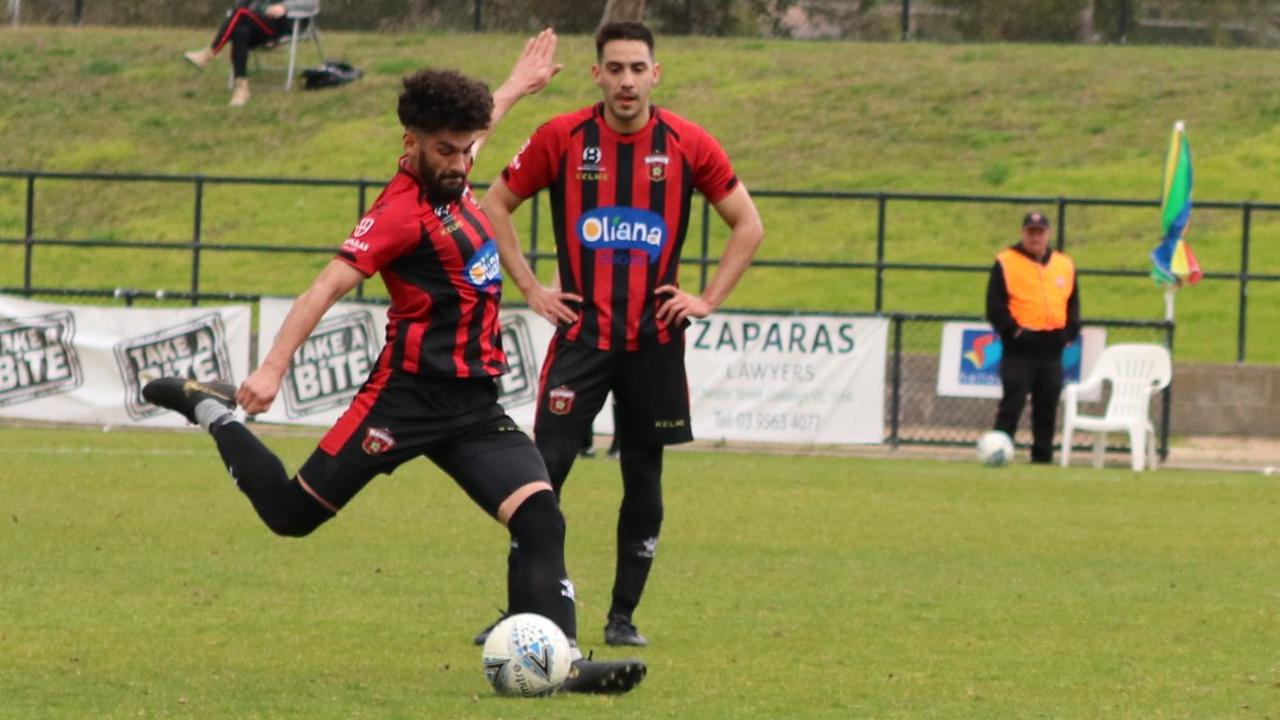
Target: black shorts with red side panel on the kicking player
[{"x": 397, "y": 417}]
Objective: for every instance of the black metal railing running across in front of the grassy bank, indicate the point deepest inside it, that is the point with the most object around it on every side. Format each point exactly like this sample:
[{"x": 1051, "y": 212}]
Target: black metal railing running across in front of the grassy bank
[{"x": 875, "y": 266}]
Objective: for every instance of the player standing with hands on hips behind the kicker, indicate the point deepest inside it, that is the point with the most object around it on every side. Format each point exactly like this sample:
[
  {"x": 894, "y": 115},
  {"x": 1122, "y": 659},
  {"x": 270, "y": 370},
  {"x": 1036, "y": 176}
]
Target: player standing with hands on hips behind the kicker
[{"x": 621, "y": 176}]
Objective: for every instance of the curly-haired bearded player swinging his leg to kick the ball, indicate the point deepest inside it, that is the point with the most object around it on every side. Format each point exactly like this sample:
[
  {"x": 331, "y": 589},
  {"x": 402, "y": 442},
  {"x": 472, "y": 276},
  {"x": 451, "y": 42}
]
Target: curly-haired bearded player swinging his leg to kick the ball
[{"x": 433, "y": 390}]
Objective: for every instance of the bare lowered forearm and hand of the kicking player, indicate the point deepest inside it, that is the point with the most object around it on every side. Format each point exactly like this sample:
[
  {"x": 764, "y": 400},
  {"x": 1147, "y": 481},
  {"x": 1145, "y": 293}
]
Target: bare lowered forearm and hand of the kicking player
[{"x": 260, "y": 388}]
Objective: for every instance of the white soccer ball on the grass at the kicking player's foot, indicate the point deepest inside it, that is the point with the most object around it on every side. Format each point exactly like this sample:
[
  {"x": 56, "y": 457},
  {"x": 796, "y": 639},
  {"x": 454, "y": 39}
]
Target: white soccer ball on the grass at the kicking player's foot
[{"x": 527, "y": 655}]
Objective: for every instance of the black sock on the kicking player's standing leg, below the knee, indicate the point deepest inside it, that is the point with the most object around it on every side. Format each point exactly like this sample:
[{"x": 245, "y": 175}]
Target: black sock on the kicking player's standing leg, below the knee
[{"x": 542, "y": 582}]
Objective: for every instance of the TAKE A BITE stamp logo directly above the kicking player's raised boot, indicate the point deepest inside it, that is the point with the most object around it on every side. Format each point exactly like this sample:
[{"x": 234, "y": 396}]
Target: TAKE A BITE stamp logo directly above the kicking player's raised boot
[{"x": 195, "y": 350}]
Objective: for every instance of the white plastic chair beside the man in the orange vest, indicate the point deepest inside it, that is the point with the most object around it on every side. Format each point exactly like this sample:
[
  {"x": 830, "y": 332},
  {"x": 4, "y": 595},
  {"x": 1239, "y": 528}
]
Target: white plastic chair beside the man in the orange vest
[{"x": 1136, "y": 373}]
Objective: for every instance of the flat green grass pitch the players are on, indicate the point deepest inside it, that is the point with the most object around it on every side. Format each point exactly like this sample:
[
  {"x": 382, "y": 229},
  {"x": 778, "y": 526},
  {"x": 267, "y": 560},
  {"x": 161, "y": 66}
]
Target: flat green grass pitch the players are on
[{"x": 136, "y": 582}]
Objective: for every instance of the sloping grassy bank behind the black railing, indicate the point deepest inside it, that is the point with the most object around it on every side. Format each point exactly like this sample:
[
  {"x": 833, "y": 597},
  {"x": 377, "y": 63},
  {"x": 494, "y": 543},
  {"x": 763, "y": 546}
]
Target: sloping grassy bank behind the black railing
[{"x": 1009, "y": 120}]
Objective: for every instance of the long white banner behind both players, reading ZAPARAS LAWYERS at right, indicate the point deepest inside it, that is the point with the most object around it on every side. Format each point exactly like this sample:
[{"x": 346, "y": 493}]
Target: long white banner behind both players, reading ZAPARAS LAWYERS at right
[{"x": 766, "y": 379}]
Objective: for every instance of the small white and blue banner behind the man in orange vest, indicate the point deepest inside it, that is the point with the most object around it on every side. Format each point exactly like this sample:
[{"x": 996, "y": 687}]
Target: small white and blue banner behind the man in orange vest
[{"x": 970, "y": 364}]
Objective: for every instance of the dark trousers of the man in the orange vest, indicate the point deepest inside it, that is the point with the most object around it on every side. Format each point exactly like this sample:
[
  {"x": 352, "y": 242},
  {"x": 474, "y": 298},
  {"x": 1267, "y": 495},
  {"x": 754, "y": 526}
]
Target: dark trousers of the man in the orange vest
[{"x": 1037, "y": 375}]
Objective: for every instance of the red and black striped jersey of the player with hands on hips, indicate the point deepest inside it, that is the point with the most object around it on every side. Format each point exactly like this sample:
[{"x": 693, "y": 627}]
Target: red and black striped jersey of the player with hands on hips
[{"x": 620, "y": 207}]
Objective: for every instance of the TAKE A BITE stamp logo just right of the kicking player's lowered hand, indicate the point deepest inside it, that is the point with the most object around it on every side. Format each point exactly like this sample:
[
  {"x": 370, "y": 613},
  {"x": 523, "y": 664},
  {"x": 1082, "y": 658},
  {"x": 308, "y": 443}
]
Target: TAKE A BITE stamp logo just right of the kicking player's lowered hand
[{"x": 332, "y": 364}]
